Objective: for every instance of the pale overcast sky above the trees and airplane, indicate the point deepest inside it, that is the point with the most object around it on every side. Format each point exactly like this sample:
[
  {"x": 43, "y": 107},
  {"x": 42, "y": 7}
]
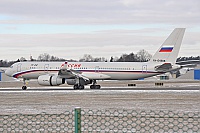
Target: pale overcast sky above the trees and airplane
[{"x": 103, "y": 28}]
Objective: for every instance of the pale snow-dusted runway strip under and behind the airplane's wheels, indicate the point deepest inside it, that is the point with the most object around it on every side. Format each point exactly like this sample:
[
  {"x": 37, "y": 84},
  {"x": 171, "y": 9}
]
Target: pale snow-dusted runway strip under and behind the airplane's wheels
[{"x": 112, "y": 85}]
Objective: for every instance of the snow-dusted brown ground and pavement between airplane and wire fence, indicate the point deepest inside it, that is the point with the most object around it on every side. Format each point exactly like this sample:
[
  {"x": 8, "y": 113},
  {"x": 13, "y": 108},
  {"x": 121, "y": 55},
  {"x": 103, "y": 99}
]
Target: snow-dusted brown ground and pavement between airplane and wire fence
[{"x": 181, "y": 96}]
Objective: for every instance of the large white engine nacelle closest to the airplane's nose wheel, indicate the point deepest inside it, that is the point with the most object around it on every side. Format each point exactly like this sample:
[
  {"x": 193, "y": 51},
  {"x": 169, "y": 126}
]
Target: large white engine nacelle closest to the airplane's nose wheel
[{"x": 50, "y": 80}]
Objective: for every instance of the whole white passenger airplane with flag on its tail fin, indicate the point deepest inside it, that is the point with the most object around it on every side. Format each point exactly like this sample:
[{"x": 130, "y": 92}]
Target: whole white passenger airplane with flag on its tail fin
[{"x": 80, "y": 74}]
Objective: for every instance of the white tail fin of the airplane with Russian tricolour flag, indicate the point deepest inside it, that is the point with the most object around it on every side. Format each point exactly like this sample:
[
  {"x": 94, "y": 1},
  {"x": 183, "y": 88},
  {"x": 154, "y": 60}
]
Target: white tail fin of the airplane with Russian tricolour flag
[{"x": 169, "y": 50}]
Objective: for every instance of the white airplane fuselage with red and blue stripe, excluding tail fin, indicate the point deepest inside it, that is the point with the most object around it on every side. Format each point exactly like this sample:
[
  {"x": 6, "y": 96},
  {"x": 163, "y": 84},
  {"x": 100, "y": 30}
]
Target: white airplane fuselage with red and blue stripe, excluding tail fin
[{"x": 104, "y": 70}]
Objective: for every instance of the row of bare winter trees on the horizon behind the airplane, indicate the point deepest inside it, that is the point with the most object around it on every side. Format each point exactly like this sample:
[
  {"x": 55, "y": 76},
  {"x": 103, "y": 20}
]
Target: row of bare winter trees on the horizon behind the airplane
[{"x": 141, "y": 56}]
